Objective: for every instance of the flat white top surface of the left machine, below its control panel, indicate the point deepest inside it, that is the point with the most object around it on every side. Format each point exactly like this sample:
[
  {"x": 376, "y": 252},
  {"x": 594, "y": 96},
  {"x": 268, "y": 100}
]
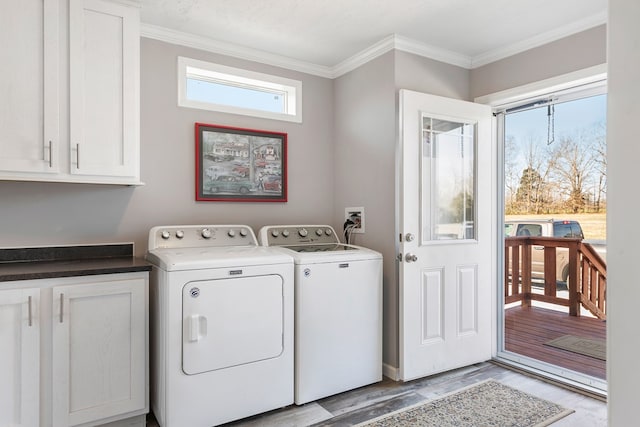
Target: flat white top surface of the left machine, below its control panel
[{"x": 176, "y": 259}]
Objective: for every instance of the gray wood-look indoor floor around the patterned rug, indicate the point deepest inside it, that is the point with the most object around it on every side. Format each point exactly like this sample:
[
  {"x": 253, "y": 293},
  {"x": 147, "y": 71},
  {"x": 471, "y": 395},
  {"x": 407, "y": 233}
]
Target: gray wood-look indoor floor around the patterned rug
[{"x": 355, "y": 406}]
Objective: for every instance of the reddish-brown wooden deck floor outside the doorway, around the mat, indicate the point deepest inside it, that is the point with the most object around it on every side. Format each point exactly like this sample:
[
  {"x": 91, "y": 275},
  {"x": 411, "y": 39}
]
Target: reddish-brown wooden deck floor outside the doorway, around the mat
[{"x": 528, "y": 328}]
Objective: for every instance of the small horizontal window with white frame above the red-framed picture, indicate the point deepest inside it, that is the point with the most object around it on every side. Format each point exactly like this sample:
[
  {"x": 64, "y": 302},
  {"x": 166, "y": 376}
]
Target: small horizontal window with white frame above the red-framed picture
[{"x": 215, "y": 87}]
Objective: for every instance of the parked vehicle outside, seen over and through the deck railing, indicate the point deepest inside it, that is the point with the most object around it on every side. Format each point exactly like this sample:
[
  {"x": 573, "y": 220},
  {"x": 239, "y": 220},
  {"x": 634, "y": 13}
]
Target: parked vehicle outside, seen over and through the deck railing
[{"x": 546, "y": 228}]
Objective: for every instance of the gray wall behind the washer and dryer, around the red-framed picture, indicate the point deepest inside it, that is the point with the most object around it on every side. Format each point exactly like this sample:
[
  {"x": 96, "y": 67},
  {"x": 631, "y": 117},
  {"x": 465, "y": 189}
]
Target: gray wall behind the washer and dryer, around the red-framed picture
[{"x": 58, "y": 214}]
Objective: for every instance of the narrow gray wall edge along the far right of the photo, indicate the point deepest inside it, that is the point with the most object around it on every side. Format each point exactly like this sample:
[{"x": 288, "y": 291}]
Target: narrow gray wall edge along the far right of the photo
[{"x": 623, "y": 152}]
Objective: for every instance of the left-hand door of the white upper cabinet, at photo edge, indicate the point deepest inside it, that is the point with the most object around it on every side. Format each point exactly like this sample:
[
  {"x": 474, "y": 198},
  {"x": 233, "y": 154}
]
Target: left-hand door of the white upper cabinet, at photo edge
[{"x": 29, "y": 112}]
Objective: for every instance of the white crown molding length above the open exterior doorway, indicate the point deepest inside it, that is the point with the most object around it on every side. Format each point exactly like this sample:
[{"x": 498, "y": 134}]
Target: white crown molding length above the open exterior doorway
[{"x": 539, "y": 40}]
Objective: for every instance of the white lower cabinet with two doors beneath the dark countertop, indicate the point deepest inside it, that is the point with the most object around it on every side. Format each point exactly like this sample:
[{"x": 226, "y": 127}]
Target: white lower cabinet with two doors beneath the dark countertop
[{"x": 76, "y": 351}]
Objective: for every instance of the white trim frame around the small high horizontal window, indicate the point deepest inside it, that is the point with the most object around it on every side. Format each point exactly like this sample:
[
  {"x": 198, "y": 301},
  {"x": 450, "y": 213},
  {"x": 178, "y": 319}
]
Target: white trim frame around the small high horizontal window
[{"x": 291, "y": 88}]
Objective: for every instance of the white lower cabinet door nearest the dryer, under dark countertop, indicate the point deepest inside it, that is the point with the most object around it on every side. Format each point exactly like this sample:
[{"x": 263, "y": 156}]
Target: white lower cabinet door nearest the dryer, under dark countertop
[{"x": 99, "y": 350}]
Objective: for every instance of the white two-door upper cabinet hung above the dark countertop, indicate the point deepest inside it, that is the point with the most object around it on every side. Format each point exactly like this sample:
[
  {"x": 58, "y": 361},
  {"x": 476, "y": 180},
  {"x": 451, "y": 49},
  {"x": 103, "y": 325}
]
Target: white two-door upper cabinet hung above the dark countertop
[{"x": 77, "y": 127}]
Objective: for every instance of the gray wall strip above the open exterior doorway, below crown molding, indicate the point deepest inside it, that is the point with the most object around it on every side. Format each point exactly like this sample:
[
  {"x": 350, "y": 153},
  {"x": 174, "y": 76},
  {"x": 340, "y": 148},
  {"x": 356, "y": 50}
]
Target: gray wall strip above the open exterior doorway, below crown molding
[{"x": 576, "y": 52}]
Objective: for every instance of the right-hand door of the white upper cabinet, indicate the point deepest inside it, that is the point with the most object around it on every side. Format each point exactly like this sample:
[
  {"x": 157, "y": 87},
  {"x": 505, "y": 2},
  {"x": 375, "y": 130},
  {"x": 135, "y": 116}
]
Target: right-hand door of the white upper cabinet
[{"x": 104, "y": 89}]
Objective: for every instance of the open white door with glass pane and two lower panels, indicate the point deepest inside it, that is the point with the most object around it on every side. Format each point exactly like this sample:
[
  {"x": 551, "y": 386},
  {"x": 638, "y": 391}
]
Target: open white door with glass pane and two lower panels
[{"x": 447, "y": 234}]
